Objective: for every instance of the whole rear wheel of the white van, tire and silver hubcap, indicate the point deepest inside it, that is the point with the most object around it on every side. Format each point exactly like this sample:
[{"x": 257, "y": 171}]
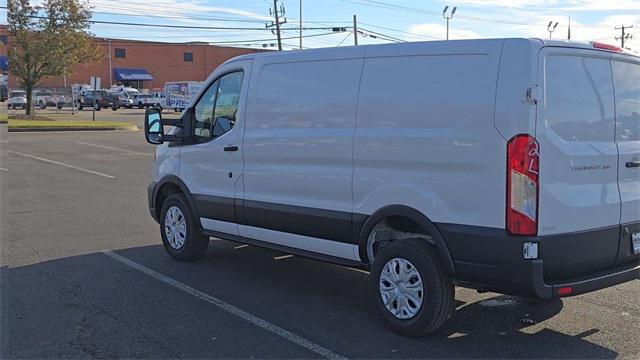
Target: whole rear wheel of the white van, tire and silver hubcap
[{"x": 412, "y": 291}]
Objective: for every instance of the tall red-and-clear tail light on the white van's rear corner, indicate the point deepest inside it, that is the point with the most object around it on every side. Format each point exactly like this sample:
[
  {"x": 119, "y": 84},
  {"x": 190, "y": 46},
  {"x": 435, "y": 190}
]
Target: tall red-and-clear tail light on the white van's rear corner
[{"x": 523, "y": 159}]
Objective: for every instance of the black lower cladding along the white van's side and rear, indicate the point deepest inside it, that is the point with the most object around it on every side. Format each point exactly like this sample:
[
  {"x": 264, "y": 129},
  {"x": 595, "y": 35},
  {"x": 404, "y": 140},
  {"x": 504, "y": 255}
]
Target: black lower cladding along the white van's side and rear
[{"x": 483, "y": 258}]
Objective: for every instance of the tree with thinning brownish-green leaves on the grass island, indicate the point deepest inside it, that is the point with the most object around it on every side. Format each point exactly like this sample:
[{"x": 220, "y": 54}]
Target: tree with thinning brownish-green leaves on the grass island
[{"x": 47, "y": 40}]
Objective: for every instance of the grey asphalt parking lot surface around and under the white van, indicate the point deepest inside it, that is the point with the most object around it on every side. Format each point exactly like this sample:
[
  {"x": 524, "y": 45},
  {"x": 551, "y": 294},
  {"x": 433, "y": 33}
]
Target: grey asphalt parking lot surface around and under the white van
[{"x": 84, "y": 275}]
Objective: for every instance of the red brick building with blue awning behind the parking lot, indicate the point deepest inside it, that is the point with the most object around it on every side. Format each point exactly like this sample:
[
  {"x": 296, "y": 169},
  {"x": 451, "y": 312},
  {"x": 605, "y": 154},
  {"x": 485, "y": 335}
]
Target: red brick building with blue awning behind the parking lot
[{"x": 142, "y": 64}]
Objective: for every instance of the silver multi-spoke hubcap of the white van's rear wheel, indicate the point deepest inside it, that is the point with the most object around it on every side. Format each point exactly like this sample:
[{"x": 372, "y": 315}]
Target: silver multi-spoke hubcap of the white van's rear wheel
[{"x": 401, "y": 288}]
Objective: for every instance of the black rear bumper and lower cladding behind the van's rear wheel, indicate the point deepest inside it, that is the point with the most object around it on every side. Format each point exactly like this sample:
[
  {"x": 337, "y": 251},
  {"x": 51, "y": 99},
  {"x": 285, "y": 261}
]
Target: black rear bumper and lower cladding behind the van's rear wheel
[{"x": 490, "y": 259}]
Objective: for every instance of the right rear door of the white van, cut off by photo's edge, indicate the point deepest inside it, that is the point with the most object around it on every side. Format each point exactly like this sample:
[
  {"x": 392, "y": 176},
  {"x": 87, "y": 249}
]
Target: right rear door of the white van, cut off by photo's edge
[{"x": 626, "y": 81}]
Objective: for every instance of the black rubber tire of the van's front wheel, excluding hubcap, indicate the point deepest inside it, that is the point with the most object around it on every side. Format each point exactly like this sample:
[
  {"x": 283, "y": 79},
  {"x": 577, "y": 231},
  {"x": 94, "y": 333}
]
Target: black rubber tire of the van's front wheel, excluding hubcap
[{"x": 196, "y": 243}]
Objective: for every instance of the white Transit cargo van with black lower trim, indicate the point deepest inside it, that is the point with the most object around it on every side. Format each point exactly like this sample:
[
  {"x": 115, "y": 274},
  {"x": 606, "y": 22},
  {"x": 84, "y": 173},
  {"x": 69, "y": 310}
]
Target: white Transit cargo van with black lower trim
[{"x": 508, "y": 165}]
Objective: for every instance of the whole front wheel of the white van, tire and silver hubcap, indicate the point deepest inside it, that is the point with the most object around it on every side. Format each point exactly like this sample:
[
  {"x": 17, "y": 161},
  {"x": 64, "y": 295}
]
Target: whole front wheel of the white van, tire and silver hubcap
[{"x": 181, "y": 235}]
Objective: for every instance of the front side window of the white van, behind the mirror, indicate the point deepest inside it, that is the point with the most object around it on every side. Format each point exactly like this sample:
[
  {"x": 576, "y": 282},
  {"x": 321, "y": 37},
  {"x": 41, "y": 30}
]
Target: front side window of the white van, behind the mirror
[{"x": 215, "y": 113}]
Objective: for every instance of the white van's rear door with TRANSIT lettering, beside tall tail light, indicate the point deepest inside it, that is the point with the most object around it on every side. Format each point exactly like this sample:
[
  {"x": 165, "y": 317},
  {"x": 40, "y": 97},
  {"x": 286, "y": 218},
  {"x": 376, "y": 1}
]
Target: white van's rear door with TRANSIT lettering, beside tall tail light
[{"x": 575, "y": 129}]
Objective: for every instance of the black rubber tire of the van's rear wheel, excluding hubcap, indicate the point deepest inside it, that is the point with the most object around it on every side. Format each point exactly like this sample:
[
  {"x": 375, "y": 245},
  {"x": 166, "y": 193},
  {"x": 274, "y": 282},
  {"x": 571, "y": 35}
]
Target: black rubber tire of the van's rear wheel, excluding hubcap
[{"x": 438, "y": 290}]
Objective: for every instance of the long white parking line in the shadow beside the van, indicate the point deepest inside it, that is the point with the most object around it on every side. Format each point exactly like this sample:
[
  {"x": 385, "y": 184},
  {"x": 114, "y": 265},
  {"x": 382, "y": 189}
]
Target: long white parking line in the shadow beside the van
[{"x": 272, "y": 328}]
